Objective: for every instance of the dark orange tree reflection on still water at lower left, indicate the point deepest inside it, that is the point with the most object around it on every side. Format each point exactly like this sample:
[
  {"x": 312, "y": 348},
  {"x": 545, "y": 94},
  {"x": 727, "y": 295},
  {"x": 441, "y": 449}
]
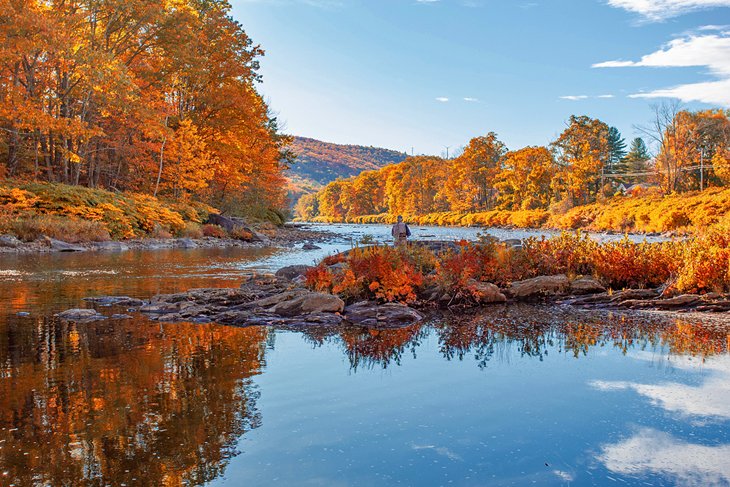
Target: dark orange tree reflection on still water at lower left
[{"x": 113, "y": 403}]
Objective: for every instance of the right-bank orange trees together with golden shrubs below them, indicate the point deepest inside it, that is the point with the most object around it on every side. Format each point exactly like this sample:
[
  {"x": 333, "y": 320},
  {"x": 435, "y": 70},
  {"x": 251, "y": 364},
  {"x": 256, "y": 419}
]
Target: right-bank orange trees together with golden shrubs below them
[{"x": 587, "y": 178}]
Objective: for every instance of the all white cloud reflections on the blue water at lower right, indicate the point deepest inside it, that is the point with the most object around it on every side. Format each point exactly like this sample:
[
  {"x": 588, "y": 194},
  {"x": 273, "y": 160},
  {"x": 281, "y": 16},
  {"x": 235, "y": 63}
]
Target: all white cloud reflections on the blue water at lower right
[{"x": 650, "y": 451}]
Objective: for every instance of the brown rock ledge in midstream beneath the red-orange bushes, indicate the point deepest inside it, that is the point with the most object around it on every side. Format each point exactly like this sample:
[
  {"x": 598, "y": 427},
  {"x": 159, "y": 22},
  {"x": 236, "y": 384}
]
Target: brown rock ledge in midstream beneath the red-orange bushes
[{"x": 283, "y": 300}]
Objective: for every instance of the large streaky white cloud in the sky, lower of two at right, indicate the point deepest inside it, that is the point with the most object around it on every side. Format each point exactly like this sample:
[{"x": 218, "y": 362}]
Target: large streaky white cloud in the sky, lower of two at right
[{"x": 711, "y": 51}]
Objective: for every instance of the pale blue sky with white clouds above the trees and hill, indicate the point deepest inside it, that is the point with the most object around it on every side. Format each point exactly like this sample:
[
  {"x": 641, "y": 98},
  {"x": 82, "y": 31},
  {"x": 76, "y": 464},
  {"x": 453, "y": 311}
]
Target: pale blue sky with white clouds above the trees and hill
[{"x": 421, "y": 75}]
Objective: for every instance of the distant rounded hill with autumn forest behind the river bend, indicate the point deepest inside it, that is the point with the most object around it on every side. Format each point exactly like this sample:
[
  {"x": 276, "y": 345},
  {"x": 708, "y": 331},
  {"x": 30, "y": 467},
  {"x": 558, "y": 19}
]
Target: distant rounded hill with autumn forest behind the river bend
[{"x": 319, "y": 163}]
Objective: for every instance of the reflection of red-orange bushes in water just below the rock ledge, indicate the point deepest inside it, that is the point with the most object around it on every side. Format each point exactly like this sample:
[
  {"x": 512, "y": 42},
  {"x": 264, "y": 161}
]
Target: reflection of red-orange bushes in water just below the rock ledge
[{"x": 530, "y": 331}]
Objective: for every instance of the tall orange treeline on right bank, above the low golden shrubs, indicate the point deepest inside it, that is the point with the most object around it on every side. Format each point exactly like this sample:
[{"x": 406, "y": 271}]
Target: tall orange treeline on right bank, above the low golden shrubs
[{"x": 588, "y": 162}]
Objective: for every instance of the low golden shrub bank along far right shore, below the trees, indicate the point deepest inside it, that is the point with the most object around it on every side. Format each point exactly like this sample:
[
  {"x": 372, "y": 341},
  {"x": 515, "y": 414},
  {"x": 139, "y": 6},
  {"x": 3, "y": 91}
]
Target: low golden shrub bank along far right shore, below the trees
[{"x": 683, "y": 213}]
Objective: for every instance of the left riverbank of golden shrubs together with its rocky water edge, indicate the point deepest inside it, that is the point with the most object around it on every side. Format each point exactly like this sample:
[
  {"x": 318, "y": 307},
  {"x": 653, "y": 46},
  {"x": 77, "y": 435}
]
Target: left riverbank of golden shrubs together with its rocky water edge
[{"x": 42, "y": 217}]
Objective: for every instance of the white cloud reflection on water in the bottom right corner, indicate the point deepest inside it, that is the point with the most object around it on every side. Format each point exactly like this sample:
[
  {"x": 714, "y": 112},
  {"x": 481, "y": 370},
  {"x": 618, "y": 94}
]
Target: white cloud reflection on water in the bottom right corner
[{"x": 650, "y": 451}]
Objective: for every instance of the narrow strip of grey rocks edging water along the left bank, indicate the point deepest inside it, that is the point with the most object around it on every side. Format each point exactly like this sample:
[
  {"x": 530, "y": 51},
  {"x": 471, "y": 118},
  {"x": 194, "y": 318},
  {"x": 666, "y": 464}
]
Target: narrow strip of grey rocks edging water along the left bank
[{"x": 285, "y": 236}]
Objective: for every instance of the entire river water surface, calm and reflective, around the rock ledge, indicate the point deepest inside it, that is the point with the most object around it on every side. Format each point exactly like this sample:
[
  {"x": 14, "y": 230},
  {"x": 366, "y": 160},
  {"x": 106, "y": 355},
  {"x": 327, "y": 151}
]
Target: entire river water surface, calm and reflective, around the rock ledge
[{"x": 508, "y": 396}]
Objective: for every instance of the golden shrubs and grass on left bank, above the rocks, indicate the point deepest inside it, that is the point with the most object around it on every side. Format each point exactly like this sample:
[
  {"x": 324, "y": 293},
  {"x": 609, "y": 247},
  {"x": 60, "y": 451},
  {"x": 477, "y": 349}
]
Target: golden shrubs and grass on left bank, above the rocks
[{"x": 29, "y": 210}]
